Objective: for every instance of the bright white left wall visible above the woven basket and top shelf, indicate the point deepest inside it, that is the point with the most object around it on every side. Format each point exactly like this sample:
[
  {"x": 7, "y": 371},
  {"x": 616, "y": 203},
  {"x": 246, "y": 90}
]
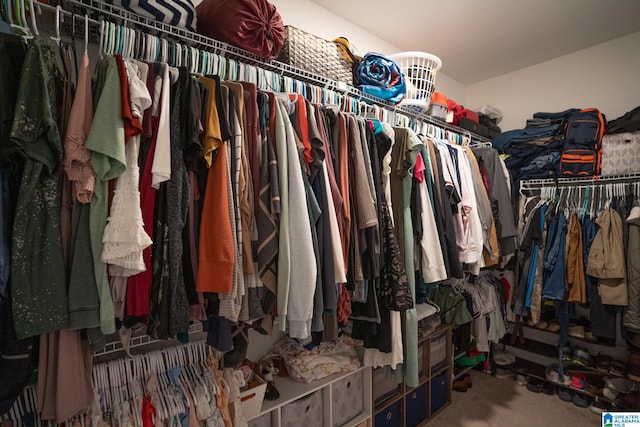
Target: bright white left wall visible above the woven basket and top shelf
[{"x": 317, "y": 20}]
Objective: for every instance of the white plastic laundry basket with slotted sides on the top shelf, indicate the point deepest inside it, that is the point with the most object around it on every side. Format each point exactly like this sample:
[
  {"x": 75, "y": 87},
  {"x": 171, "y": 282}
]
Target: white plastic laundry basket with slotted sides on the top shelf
[{"x": 420, "y": 69}]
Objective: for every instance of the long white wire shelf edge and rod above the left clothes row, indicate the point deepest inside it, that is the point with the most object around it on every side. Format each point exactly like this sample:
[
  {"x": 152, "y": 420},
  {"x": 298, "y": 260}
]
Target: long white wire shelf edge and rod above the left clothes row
[{"x": 110, "y": 12}]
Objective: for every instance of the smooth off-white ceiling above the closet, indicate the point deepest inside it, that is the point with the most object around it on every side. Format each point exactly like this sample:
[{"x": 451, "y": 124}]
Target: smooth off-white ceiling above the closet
[{"x": 481, "y": 39}]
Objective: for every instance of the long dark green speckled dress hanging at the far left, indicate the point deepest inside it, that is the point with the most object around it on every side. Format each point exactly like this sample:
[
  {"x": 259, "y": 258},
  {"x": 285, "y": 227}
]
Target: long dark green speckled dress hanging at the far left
[{"x": 36, "y": 256}]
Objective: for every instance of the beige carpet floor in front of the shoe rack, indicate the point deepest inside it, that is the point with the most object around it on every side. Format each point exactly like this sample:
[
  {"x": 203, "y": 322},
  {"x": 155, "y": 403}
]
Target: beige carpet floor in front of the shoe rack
[{"x": 493, "y": 402}]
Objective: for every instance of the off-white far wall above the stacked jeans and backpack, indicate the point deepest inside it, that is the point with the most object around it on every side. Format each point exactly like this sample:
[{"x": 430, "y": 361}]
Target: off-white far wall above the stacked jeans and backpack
[{"x": 604, "y": 76}]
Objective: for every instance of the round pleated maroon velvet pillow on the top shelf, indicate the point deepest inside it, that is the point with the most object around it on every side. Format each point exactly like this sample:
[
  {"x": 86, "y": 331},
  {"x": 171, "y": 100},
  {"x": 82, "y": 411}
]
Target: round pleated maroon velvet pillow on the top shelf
[{"x": 253, "y": 25}]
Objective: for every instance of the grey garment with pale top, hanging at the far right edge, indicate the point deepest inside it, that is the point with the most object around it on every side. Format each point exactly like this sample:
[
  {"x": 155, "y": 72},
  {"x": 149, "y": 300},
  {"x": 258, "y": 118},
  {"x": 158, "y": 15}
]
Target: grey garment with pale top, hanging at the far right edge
[{"x": 631, "y": 319}]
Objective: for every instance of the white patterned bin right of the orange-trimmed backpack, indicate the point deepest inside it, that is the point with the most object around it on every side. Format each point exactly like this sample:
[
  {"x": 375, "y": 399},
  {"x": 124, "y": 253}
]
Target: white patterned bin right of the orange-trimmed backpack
[{"x": 621, "y": 153}]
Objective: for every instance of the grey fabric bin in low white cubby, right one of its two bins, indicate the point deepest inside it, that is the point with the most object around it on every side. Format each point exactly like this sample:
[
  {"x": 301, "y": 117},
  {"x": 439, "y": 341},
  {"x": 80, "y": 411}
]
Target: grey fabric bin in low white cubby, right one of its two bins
[{"x": 347, "y": 399}]
